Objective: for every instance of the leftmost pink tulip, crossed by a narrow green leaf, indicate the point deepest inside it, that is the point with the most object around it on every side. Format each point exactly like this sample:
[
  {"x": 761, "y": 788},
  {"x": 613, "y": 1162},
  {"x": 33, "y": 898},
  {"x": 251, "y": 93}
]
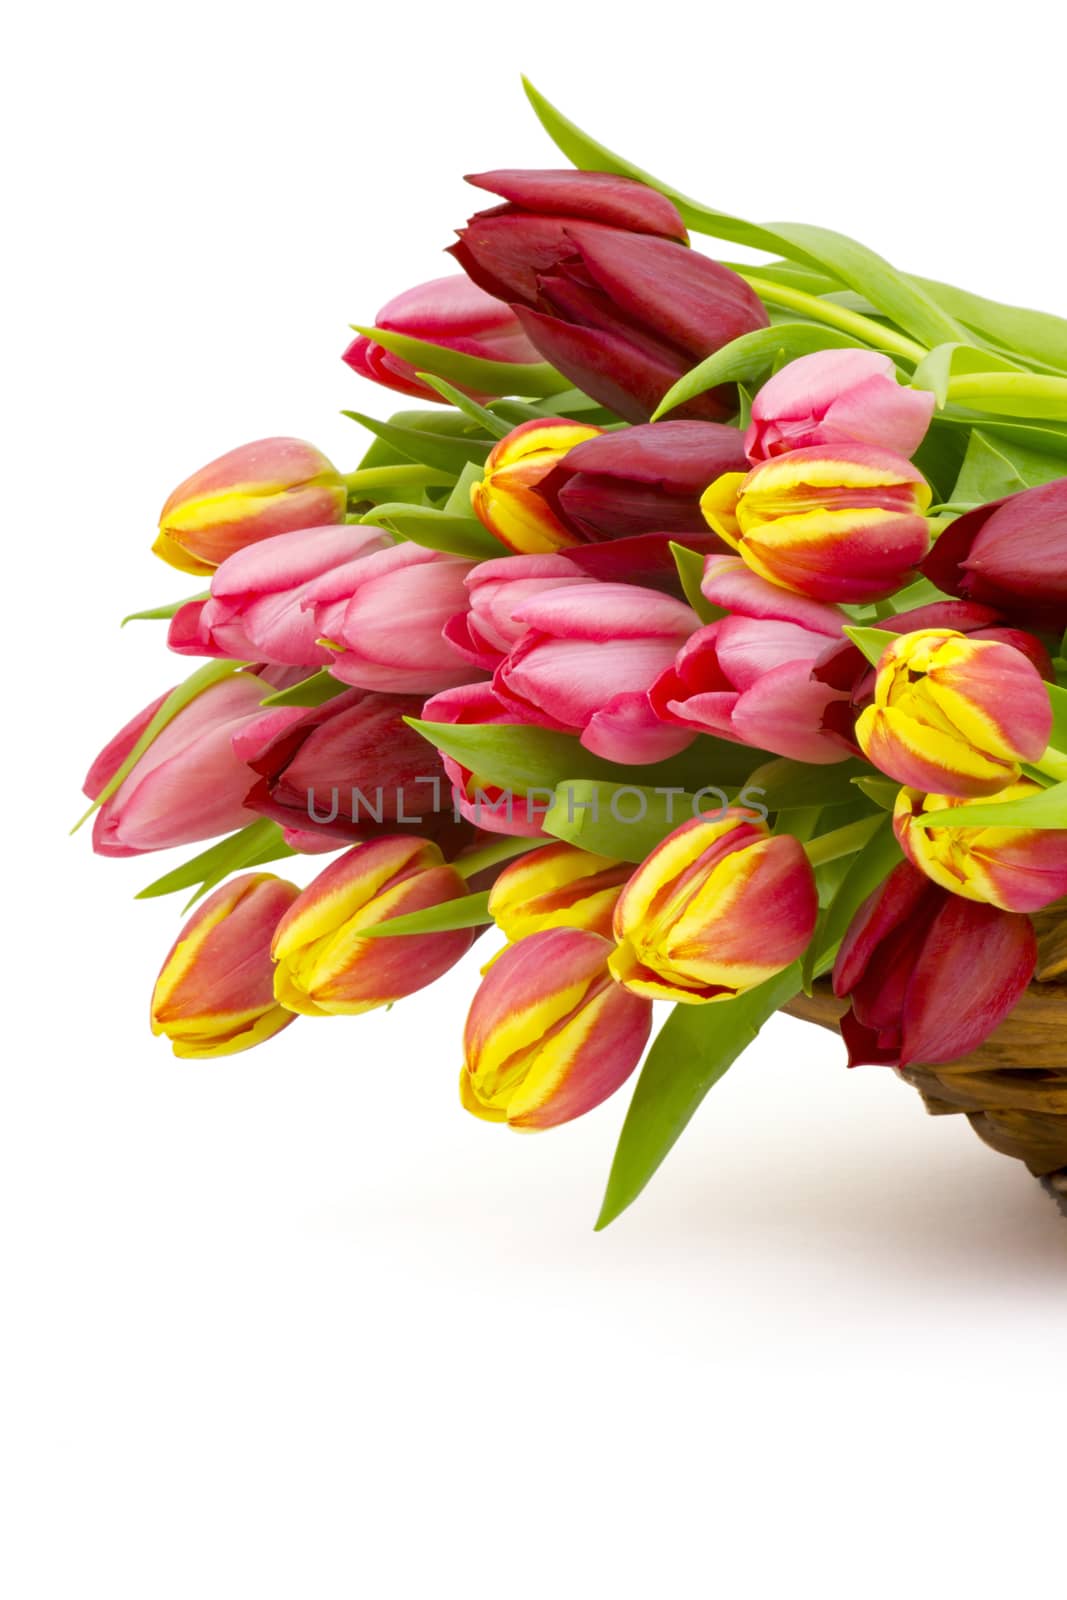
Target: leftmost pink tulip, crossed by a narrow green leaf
[{"x": 191, "y": 783}]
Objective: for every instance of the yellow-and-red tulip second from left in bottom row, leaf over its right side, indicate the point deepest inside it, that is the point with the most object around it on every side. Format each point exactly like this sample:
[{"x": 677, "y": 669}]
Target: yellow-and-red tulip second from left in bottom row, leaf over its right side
[{"x": 327, "y": 969}]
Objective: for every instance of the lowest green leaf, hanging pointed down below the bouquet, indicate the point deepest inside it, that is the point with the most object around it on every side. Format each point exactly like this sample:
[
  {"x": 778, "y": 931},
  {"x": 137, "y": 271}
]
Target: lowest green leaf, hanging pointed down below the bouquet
[{"x": 697, "y": 1046}]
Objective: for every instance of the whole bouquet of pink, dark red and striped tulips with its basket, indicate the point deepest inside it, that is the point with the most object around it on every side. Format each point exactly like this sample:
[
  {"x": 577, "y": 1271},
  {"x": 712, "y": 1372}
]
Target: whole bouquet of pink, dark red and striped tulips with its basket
[{"x": 697, "y": 625}]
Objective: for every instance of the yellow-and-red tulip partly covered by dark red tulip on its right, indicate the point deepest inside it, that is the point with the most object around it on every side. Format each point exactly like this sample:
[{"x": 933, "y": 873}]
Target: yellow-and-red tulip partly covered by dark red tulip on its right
[{"x": 508, "y": 498}]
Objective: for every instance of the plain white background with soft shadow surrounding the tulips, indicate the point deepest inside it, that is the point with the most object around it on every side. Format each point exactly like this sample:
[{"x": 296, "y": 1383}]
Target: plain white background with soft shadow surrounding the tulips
[{"x": 290, "y": 1324}]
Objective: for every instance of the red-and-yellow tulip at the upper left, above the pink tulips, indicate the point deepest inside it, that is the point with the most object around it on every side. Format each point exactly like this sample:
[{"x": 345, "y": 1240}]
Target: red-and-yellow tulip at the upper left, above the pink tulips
[{"x": 252, "y": 494}]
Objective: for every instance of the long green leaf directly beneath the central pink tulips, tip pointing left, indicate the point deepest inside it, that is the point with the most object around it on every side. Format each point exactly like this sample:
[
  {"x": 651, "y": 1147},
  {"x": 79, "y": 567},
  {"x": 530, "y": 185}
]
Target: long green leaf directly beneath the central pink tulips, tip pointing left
[{"x": 524, "y": 759}]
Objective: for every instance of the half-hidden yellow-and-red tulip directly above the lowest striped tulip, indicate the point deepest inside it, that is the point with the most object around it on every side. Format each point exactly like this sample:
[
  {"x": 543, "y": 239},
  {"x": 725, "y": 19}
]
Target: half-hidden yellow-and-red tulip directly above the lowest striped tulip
[{"x": 557, "y": 887}]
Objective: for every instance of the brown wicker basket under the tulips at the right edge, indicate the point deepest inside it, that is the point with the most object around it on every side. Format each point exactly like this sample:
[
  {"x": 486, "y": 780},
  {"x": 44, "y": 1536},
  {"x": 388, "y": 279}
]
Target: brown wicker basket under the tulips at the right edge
[{"x": 1013, "y": 1090}]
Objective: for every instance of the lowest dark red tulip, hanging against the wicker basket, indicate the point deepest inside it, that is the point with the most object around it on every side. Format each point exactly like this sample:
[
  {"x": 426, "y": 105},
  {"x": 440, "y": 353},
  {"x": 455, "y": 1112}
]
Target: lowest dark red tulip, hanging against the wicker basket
[{"x": 930, "y": 975}]
